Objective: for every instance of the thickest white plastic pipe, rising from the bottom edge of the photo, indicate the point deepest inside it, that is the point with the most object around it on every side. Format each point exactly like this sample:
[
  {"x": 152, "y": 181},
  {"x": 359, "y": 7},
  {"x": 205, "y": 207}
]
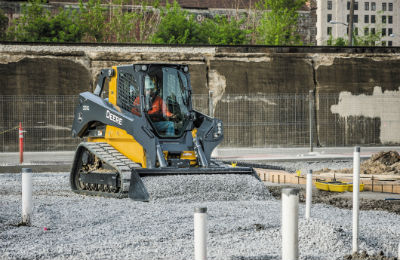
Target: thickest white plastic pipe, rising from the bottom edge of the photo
[{"x": 290, "y": 217}]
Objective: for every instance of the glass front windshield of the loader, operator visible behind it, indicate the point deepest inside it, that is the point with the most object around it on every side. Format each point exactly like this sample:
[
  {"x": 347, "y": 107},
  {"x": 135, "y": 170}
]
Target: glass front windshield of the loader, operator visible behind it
[{"x": 166, "y": 100}]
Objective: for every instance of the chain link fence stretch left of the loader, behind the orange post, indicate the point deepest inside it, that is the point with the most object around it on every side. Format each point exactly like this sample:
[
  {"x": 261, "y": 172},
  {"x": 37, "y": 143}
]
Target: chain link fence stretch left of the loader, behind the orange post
[{"x": 46, "y": 121}]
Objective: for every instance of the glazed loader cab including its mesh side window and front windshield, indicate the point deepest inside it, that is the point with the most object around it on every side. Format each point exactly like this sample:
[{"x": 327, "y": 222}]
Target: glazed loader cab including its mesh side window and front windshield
[{"x": 160, "y": 93}]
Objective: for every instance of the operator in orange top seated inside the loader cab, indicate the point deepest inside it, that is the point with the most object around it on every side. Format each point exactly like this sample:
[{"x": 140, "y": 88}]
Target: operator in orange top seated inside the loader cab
[{"x": 158, "y": 109}]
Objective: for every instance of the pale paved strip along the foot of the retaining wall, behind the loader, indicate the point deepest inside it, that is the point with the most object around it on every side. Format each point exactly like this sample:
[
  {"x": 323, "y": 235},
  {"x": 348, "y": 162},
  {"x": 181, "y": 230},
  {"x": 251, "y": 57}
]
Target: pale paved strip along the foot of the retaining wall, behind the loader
[{"x": 234, "y": 154}]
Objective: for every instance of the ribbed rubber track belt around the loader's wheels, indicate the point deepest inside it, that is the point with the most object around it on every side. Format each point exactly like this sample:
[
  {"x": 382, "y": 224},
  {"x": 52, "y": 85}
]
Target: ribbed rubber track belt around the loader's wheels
[{"x": 115, "y": 159}]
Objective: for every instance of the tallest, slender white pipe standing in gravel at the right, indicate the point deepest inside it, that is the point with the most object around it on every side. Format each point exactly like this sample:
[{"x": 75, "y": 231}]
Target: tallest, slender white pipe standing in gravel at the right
[{"x": 356, "y": 191}]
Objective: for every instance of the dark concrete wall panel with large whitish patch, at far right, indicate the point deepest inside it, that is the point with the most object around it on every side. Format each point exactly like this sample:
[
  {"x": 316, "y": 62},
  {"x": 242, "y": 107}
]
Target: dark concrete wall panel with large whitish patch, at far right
[{"x": 366, "y": 90}]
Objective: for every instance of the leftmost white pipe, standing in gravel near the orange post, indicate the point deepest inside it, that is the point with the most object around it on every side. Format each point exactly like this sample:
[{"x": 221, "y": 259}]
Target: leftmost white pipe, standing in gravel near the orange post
[{"x": 26, "y": 196}]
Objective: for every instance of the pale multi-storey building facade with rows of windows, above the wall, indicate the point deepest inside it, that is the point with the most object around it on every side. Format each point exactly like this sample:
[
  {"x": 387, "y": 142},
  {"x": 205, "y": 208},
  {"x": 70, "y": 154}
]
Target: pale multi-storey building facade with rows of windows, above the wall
[{"x": 381, "y": 17}]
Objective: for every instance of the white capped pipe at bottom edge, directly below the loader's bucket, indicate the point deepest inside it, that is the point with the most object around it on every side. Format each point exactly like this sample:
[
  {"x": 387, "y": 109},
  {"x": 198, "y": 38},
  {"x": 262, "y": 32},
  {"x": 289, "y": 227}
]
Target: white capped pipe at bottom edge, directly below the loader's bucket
[{"x": 200, "y": 233}]
